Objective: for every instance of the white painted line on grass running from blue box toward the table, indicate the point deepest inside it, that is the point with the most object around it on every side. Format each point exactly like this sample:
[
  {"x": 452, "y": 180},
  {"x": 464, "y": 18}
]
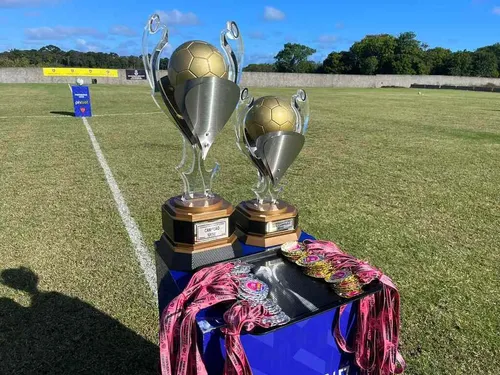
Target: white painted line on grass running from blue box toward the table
[{"x": 141, "y": 251}]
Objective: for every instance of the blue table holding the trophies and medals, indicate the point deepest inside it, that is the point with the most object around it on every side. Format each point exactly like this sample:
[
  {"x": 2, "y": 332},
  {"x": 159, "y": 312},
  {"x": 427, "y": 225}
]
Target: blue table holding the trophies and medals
[{"x": 305, "y": 347}]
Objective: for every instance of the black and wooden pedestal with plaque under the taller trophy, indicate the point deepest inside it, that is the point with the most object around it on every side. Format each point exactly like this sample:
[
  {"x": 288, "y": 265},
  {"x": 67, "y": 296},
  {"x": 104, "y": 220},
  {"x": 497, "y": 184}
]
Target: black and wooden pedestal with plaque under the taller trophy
[{"x": 196, "y": 232}]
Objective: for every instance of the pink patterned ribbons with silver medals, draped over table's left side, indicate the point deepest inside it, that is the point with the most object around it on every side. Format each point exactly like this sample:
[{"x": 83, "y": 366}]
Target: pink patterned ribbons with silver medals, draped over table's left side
[{"x": 226, "y": 282}]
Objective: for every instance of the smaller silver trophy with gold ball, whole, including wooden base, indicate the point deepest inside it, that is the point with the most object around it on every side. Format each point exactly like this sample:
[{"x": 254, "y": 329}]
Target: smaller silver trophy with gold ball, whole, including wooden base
[{"x": 270, "y": 132}]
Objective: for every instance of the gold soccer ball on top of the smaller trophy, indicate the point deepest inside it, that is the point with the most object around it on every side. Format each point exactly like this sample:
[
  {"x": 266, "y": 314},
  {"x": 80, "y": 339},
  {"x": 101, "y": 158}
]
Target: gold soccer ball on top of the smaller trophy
[{"x": 269, "y": 114}]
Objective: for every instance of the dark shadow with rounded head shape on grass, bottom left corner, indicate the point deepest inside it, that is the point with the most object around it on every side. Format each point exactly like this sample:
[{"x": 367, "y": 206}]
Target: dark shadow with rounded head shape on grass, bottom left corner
[{"x": 58, "y": 334}]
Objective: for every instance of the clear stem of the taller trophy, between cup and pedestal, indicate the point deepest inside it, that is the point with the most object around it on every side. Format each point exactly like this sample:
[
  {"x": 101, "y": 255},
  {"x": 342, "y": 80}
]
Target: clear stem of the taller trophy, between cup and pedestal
[{"x": 196, "y": 178}]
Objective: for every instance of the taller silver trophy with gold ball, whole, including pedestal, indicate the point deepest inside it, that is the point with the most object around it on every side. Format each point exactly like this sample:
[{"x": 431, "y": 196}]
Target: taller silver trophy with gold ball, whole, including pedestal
[{"x": 199, "y": 95}]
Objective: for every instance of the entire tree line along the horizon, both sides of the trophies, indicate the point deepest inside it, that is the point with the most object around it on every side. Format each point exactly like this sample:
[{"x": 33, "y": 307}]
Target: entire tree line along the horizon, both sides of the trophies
[{"x": 374, "y": 54}]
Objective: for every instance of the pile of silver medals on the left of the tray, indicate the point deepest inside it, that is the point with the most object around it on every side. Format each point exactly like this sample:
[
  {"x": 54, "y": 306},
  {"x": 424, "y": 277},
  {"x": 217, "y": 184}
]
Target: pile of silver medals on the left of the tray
[{"x": 256, "y": 292}]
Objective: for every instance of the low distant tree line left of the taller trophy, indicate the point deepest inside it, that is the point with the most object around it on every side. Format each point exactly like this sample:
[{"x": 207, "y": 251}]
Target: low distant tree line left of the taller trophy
[{"x": 53, "y": 56}]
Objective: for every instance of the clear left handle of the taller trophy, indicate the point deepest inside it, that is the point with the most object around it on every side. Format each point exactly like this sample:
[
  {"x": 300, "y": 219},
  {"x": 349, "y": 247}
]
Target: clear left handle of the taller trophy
[{"x": 152, "y": 61}]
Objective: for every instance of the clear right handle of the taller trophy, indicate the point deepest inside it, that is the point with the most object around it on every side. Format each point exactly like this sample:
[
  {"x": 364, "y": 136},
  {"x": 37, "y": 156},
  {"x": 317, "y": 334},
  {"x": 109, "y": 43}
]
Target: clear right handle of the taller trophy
[{"x": 234, "y": 60}]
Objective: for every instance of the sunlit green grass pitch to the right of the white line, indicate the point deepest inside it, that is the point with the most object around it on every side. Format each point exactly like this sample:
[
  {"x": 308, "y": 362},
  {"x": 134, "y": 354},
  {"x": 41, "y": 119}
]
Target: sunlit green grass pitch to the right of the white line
[{"x": 408, "y": 182}]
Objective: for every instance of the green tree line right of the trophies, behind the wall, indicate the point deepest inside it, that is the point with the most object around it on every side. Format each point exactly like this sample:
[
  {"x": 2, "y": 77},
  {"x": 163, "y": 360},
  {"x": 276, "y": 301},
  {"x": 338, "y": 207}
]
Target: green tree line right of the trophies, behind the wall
[{"x": 387, "y": 54}]
